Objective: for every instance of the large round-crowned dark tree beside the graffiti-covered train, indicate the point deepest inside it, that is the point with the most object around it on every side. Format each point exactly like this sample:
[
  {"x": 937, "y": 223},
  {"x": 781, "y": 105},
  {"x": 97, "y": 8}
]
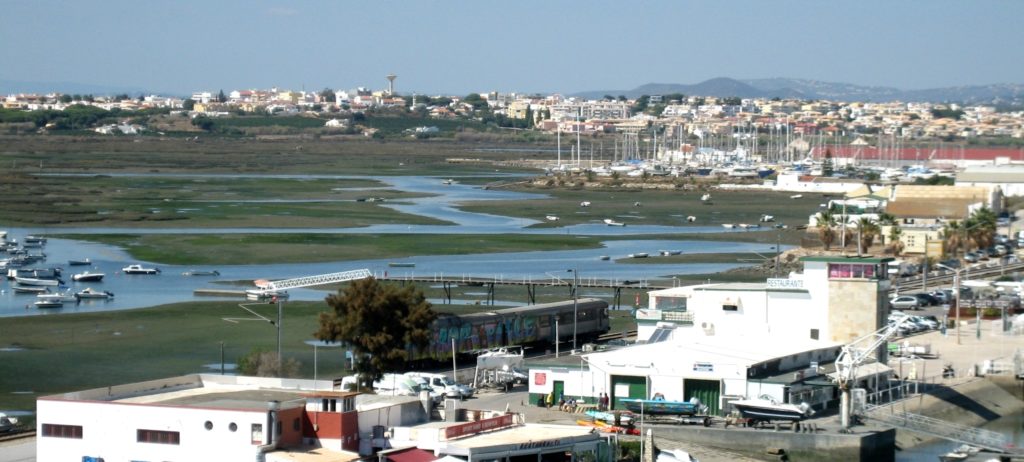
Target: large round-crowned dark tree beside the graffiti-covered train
[{"x": 382, "y": 323}]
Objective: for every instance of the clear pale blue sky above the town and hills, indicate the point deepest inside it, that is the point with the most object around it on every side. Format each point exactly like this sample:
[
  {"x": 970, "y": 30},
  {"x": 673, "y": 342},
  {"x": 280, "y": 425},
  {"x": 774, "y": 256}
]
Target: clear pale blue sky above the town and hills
[{"x": 457, "y": 48}]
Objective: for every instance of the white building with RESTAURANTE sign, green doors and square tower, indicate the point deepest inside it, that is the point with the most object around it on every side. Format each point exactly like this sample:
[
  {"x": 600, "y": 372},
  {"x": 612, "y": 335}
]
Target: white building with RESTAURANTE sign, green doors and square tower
[{"x": 729, "y": 342}]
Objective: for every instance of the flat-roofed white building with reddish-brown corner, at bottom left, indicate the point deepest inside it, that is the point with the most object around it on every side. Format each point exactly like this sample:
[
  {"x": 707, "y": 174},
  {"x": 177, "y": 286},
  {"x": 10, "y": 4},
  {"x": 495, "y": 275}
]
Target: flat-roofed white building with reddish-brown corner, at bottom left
[{"x": 196, "y": 417}]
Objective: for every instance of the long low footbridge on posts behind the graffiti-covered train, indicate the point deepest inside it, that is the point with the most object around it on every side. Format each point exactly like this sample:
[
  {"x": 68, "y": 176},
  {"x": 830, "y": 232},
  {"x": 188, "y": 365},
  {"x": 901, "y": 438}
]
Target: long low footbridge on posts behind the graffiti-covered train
[{"x": 448, "y": 282}]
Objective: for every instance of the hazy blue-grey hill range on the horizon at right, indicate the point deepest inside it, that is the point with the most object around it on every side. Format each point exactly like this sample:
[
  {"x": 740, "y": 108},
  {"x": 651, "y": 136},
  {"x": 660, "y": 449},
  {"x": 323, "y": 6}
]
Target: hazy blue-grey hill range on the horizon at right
[{"x": 814, "y": 90}]
